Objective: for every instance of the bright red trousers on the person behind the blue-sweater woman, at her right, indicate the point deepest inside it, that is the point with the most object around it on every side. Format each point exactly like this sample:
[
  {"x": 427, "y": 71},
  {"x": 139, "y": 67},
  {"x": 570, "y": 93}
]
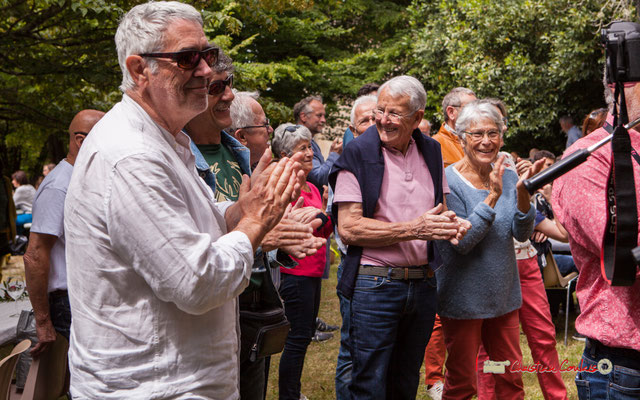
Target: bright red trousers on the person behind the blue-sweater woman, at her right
[{"x": 535, "y": 318}]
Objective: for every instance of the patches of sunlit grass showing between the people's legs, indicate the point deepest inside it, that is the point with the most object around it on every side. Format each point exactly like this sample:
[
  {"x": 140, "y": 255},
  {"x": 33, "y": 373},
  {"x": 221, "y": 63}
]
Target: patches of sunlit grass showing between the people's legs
[{"x": 320, "y": 363}]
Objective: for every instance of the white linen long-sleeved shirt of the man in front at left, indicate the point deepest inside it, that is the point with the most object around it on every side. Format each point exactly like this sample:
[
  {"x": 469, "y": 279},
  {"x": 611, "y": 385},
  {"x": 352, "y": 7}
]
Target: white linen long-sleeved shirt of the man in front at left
[{"x": 153, "y": 274}]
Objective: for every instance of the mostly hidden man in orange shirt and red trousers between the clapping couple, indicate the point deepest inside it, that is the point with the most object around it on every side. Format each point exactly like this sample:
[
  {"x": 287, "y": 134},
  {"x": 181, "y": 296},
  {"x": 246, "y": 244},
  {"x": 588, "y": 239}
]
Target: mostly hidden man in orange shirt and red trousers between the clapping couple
[{"x": 451, "y": 153}]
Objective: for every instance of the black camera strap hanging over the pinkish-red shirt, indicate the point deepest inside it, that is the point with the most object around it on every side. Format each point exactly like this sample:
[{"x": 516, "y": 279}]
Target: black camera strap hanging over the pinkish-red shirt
[{"x": 621, "y": 233}]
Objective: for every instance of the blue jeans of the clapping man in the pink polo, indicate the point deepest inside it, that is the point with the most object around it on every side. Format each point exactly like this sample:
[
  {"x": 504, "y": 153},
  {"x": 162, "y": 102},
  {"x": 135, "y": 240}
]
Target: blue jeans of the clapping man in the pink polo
[{"x": 391, "y": 323}]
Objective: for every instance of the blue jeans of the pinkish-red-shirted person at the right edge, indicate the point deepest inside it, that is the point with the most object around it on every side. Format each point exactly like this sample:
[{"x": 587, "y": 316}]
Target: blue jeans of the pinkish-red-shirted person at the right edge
[{"x": 622, "y": 383}]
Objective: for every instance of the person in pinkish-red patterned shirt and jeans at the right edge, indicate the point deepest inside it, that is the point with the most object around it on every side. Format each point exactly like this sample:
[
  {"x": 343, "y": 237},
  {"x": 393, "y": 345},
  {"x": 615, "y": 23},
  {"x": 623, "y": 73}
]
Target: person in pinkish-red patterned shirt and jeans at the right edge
[{"x": 610, "y": 314}]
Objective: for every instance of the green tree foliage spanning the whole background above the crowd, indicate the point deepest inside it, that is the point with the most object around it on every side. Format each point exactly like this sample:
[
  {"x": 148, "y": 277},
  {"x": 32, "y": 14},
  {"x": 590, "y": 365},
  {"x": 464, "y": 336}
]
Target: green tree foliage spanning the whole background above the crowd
[{"x": 541, "y": 57}]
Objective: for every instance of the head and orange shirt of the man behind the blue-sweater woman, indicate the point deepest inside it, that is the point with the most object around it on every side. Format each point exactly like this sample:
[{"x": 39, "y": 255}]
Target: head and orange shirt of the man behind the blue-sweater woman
[{"x": 451, "y": 106}]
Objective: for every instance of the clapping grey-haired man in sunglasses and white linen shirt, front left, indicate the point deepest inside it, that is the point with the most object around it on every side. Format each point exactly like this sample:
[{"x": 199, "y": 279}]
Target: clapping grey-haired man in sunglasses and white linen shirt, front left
[{"x": 154, "y": 264}]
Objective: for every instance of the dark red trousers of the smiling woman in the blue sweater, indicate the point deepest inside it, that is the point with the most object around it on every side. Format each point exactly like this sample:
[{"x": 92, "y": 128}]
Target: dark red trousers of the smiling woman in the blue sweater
[{"x": 500, "y": 336}]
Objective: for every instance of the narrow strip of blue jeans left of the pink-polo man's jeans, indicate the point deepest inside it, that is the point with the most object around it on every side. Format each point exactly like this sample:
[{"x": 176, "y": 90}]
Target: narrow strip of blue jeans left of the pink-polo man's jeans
[{"x": 343, "y": 367}]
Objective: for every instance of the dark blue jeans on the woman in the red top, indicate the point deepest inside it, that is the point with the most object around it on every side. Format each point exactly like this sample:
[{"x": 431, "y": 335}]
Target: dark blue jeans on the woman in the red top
[{"x": 301, "y": 295}]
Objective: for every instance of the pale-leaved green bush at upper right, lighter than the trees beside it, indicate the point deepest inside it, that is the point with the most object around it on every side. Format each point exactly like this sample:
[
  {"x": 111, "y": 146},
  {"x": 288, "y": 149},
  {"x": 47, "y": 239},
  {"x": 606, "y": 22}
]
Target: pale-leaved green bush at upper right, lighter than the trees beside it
[{"x": 542, "y": 57}]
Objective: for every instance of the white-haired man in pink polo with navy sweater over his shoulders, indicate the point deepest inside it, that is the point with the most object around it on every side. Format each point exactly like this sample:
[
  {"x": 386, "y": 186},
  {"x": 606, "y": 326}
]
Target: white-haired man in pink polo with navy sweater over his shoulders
[{"x": 388, "y": 214}]
